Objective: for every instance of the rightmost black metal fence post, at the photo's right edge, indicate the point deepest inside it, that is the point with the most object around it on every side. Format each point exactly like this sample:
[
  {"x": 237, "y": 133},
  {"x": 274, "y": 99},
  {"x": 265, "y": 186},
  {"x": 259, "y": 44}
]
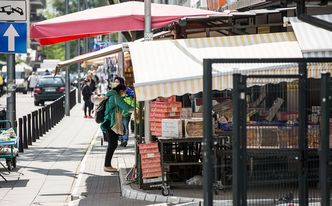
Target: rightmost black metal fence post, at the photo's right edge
[{"x": 324, "y": 144}]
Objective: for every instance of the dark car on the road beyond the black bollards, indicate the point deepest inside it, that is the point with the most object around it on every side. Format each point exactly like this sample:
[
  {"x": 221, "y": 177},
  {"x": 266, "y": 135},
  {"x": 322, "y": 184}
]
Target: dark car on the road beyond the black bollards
[{"x": 49, "y": 88}]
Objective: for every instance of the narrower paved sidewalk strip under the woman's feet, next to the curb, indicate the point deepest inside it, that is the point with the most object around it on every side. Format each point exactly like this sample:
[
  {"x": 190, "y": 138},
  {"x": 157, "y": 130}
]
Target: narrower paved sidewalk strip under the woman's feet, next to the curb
[{"x": 96, "y": 187}]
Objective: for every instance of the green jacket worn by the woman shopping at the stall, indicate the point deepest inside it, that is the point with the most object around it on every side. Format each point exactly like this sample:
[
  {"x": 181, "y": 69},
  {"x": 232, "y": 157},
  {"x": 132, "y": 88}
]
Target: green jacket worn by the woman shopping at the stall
[{"x": 111, "y": 108}]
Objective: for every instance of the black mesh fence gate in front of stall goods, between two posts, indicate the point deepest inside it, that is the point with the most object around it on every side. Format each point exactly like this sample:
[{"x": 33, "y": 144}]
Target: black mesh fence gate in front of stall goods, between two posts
[{"x": 271, "y": 146}]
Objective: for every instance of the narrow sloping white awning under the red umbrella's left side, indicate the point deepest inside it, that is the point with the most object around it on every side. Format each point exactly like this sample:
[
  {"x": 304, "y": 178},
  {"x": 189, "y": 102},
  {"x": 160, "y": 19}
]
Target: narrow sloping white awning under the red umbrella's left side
[{"x": 92, "y": 55}]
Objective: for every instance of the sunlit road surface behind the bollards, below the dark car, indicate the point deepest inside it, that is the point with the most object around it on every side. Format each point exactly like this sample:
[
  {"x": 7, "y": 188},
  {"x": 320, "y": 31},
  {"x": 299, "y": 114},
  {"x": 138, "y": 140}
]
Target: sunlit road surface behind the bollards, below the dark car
[{"x": 24, "y": 104}]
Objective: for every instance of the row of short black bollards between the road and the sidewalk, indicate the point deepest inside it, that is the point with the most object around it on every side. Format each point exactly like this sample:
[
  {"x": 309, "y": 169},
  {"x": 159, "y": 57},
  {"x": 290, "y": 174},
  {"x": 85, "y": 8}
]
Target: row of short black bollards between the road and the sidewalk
[{"x": 34, "y": 125}]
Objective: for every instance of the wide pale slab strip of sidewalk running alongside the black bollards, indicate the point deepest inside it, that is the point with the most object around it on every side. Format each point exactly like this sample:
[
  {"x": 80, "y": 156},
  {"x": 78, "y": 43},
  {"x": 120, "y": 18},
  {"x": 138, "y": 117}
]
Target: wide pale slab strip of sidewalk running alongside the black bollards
[{"x": 46, "y": 171}]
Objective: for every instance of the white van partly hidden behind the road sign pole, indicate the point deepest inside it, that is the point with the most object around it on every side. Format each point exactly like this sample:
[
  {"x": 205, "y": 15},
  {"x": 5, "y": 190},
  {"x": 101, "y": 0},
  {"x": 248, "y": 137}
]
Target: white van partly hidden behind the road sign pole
[{"x": 22, "y": 72}]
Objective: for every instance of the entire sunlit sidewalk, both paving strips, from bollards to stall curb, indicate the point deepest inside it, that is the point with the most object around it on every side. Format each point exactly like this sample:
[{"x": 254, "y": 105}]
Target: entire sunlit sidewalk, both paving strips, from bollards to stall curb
[{"x": 65, "y": 167}]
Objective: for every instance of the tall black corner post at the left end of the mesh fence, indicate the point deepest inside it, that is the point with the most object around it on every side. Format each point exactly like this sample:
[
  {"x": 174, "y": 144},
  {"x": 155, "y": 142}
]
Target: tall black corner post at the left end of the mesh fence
[{"x": 207, "y": 135}]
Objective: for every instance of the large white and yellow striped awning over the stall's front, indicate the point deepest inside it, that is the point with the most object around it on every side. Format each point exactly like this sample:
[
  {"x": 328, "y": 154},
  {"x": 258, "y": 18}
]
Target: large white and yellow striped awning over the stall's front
[{"x": 175, "y": 67}]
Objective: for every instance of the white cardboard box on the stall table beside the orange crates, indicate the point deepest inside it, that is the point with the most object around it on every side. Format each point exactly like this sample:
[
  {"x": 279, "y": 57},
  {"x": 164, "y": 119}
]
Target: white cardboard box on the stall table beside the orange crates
[{"x": 172, "y": 128}]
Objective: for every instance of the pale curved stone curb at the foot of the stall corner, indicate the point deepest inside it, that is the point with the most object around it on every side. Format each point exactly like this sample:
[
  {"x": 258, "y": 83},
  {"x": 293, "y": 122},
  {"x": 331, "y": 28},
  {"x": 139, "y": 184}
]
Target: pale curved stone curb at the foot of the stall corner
[{"x": 130, "y": 193}]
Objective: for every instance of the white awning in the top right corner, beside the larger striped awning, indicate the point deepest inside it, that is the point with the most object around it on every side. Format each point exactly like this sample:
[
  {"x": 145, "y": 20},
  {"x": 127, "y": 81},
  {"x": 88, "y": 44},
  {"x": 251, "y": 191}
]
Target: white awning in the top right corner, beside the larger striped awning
[{"x": 314, "y": 41}]
